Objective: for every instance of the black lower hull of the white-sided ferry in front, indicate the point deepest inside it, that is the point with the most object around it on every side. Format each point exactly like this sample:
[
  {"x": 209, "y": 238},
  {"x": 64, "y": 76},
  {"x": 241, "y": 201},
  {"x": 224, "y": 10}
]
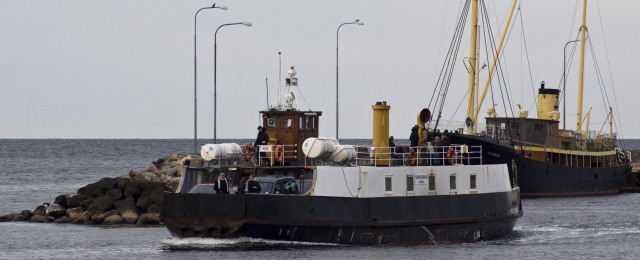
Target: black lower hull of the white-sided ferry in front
[{"x": 352, "y": 221}]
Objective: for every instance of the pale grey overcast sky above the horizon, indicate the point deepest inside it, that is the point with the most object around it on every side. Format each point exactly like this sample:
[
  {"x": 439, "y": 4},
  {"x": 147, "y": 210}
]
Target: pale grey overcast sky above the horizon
[{"x": 125, "y": 69}]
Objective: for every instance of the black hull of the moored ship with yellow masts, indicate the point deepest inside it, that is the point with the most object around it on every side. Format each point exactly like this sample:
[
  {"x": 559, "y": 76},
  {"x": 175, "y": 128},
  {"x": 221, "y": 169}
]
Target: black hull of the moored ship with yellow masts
[{"x": 539, "y": 179}]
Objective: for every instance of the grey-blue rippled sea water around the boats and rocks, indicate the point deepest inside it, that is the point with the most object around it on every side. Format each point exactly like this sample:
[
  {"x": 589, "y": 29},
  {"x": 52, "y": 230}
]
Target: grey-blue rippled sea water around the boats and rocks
[{"x": 36, "y": 171}]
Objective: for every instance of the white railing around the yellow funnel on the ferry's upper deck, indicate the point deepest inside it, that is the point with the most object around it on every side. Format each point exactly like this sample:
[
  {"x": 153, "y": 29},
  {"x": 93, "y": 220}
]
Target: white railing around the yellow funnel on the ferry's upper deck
[{"x": 418, "y": 156}]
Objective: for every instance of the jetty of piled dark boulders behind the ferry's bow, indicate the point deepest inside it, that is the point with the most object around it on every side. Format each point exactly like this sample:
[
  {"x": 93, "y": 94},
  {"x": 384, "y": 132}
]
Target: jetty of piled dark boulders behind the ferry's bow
[{"x": 135, "y": 198}]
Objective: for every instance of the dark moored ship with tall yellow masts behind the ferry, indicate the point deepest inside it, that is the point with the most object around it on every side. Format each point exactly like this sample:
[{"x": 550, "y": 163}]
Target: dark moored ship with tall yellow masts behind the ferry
[{"x": 548, "y": 160}]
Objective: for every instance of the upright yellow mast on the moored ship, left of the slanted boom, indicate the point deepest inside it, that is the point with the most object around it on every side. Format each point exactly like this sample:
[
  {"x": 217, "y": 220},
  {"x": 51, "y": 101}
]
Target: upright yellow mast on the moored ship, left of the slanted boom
[{"x": 472, "y": 65}]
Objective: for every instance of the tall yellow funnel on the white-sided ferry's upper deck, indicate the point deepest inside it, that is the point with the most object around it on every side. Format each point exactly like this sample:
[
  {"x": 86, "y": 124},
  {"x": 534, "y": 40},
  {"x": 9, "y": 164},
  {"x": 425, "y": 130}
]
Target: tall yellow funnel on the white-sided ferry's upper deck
[{"x": 380, "y": 145}]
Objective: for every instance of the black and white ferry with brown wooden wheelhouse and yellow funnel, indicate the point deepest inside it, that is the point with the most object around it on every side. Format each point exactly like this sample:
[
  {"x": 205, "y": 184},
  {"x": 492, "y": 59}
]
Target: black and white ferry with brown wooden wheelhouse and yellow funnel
[{"x": 314, "y": 189}]
